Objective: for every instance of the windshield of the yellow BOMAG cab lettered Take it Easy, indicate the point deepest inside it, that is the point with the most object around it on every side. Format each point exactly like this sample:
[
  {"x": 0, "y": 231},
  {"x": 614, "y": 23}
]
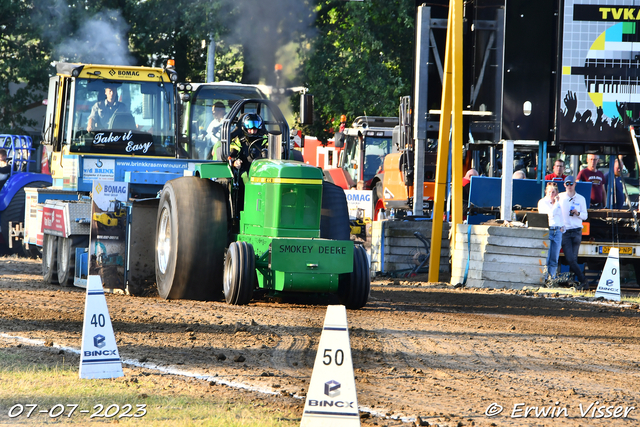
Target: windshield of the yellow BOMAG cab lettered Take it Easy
[{"x": 128, "y": 117}]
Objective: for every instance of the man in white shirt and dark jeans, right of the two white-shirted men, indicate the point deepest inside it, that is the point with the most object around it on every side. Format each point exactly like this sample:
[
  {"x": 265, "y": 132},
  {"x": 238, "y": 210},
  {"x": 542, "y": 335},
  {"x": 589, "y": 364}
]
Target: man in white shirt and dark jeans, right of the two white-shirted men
[{"x": 574, "y": 211}]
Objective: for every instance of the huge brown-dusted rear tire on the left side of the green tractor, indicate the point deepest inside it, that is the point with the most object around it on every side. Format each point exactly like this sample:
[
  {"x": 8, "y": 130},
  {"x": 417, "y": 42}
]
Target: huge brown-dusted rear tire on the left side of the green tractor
[{"x": 191, "y": 235}]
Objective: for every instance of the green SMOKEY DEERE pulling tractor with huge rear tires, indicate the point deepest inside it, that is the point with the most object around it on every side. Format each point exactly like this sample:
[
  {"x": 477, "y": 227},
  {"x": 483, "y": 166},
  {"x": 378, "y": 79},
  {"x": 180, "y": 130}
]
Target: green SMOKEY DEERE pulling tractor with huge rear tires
[{"x": 279, "y": 229}]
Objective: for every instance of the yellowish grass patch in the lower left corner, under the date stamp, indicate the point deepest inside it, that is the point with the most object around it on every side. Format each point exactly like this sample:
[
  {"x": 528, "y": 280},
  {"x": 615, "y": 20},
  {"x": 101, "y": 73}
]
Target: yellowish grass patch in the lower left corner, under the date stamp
[{"x": 26, "y": 378}]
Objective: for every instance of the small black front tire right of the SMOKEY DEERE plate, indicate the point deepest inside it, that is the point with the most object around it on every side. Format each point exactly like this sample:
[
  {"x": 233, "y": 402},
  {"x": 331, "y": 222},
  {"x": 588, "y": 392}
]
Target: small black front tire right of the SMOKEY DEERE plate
[{"x": 354, "y": 288}]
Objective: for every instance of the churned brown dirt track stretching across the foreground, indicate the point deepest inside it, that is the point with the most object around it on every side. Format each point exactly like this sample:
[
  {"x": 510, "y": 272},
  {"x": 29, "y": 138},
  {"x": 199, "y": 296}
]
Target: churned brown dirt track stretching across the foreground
[{"x": 425, "y": 353}]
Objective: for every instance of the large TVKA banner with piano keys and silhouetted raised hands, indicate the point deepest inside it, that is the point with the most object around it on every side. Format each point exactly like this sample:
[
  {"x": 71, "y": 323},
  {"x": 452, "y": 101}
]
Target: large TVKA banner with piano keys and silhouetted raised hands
[{"x": 599, "y": 71}]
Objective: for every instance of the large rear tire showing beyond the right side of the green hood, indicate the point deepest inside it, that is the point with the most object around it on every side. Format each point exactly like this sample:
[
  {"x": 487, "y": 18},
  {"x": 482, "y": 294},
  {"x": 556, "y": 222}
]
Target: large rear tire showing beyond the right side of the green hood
[{"x": 334, "y": 220}]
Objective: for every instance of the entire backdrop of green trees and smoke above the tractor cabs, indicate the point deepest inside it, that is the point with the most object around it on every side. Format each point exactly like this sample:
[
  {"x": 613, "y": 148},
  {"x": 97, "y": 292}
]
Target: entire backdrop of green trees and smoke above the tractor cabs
[{"x": 356, "y": 56}]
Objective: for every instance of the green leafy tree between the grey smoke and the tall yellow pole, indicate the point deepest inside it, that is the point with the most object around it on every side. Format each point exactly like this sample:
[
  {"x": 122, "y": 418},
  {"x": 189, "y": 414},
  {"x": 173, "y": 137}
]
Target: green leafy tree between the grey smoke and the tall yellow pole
[{"x": 361, "y": 61}]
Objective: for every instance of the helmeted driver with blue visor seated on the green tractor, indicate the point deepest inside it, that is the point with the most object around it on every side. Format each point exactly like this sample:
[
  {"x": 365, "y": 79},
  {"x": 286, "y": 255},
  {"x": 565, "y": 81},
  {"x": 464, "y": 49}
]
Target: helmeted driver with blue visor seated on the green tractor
[{"x": 251, "y": 144}]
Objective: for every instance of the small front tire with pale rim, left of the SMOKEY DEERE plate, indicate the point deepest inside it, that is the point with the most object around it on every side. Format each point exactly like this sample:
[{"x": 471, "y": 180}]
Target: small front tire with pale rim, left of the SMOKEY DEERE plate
[{"x": 239, "y": 273}]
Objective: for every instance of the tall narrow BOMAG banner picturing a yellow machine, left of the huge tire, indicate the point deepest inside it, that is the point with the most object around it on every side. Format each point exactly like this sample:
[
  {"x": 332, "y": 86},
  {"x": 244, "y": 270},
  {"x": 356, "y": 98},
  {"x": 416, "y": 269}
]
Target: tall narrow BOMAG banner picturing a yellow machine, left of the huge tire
[{"x": 108, "y": 232}]
